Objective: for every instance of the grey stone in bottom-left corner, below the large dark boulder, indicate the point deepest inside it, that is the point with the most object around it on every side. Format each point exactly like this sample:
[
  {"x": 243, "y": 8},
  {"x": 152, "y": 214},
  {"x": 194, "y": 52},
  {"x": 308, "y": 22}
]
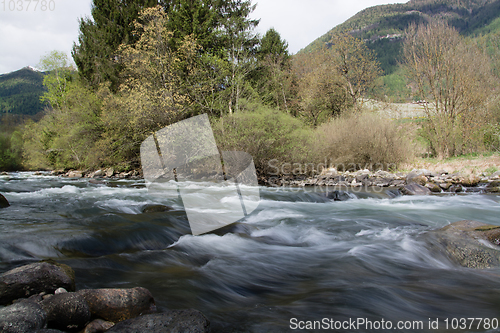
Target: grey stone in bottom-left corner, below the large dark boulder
[{"x": 22, "y": 317}]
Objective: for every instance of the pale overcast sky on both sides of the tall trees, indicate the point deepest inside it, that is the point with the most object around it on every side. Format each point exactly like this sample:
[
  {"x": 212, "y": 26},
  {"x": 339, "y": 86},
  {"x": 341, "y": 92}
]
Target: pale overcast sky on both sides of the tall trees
[{"x": 26, "y": 33}]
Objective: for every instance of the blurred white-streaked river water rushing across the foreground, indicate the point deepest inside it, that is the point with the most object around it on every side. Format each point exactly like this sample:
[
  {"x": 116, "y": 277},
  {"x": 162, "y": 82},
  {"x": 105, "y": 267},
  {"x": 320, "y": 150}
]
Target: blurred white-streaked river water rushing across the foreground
[{"x": 298, "y": 258}]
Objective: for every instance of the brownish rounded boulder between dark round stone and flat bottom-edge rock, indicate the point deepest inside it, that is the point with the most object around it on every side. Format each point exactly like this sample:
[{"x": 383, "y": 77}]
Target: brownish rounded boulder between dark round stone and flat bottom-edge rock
[{"x": 118, "y": 304}]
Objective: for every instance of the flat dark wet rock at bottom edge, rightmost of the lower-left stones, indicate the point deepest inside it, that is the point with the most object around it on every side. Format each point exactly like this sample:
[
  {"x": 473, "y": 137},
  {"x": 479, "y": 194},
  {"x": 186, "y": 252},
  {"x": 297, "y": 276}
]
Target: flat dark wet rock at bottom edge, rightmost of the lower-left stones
[{"x": 186, "y": 321}]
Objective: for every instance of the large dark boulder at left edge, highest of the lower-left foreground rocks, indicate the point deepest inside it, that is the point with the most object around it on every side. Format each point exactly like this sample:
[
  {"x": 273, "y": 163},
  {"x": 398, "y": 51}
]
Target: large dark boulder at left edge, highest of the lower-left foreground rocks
[{"x": 32, "y": 279}]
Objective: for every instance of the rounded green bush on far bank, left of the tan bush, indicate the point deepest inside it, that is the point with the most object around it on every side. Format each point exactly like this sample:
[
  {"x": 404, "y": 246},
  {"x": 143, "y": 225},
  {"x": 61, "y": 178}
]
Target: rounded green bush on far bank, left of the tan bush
[{"x": 273, "y": 138}]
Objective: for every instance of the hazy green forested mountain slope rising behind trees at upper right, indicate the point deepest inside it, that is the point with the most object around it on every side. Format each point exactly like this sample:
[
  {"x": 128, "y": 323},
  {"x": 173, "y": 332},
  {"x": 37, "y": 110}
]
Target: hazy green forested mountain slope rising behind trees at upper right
[{"x": 382, "y": 27}]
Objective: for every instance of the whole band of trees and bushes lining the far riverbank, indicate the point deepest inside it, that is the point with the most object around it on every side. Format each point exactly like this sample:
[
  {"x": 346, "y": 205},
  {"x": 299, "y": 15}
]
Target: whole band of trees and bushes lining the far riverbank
[{"x": 160, "y": 64}]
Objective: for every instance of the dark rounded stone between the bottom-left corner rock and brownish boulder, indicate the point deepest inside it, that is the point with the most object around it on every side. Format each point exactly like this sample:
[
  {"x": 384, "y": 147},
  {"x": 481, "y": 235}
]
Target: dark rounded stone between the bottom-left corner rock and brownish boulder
[{"x": 67, "y": 311}]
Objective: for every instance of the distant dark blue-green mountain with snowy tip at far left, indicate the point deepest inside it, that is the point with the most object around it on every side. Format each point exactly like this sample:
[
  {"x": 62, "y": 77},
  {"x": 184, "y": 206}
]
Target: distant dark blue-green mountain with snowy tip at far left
[{"x": 20, "y": 92}]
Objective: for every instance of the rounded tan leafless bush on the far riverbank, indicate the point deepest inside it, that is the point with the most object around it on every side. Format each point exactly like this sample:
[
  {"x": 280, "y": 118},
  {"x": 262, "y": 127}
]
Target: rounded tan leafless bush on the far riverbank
[{"x": 363, "y": 141}]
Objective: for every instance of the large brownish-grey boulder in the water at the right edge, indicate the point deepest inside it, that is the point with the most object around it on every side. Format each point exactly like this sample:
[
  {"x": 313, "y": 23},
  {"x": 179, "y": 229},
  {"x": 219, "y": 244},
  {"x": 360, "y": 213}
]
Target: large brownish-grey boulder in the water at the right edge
[{"x": 469, "y": 243}]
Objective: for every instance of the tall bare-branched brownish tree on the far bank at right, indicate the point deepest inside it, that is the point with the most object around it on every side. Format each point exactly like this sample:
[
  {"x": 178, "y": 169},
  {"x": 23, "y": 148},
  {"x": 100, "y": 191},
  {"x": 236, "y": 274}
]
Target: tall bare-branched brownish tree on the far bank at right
[{"x": 455, "y": 78}]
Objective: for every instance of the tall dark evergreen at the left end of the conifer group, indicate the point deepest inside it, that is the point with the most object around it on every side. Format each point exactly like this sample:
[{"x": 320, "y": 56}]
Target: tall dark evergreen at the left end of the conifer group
[{"x": 110, "y": 26}]
